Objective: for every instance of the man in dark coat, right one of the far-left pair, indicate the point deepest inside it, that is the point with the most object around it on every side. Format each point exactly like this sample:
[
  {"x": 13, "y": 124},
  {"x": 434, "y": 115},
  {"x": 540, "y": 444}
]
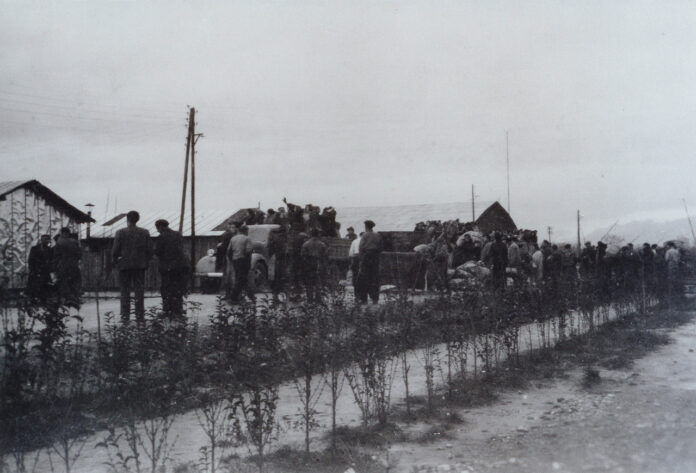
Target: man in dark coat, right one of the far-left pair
[{"x": 66, "y": 261}]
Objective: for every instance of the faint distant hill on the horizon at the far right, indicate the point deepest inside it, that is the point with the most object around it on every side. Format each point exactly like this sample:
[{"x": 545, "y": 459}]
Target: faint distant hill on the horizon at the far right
[{"x": 647, "y": 231}]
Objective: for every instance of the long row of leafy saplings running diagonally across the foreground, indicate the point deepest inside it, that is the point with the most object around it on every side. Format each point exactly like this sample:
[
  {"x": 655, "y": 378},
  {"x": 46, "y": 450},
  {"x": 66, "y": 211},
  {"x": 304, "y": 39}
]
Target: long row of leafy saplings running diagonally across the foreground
[{"x": 57, "y": 386}]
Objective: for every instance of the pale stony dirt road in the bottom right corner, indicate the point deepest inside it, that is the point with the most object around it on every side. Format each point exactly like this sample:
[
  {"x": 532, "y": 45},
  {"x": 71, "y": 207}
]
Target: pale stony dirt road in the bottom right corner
[{"x": 641, "y": 419}]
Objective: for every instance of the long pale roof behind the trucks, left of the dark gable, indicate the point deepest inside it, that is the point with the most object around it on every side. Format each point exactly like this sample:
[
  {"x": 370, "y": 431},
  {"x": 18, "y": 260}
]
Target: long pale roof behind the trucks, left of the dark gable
[{"x": 403, "y": 217}]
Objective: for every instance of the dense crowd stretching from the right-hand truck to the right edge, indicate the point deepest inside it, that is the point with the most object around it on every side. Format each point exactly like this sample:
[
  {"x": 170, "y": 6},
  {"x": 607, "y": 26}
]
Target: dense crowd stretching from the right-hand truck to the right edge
[{"x": 514, "y": 258}]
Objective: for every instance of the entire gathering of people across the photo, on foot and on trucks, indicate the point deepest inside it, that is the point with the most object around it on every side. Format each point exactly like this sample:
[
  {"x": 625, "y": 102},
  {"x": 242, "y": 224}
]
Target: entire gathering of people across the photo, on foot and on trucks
[{"x": 300, "y": 262}]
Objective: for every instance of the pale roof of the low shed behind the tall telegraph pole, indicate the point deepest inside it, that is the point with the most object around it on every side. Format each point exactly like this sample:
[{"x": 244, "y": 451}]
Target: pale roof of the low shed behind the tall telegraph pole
[{"x": 206, "y": 220}]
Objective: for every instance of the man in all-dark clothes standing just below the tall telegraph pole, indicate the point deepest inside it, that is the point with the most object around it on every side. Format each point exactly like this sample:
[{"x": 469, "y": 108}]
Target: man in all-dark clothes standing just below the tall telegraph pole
[{"x": 173, "y": 268}]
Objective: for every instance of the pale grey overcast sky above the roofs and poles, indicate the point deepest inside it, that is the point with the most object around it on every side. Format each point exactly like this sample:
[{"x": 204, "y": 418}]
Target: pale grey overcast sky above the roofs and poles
[{"x": 356, "y": 104}]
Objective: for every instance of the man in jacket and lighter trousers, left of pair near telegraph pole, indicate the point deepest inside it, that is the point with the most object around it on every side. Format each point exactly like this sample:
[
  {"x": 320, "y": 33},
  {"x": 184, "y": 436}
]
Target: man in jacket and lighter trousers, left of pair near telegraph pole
[{"x": 131, "y": 253}]
